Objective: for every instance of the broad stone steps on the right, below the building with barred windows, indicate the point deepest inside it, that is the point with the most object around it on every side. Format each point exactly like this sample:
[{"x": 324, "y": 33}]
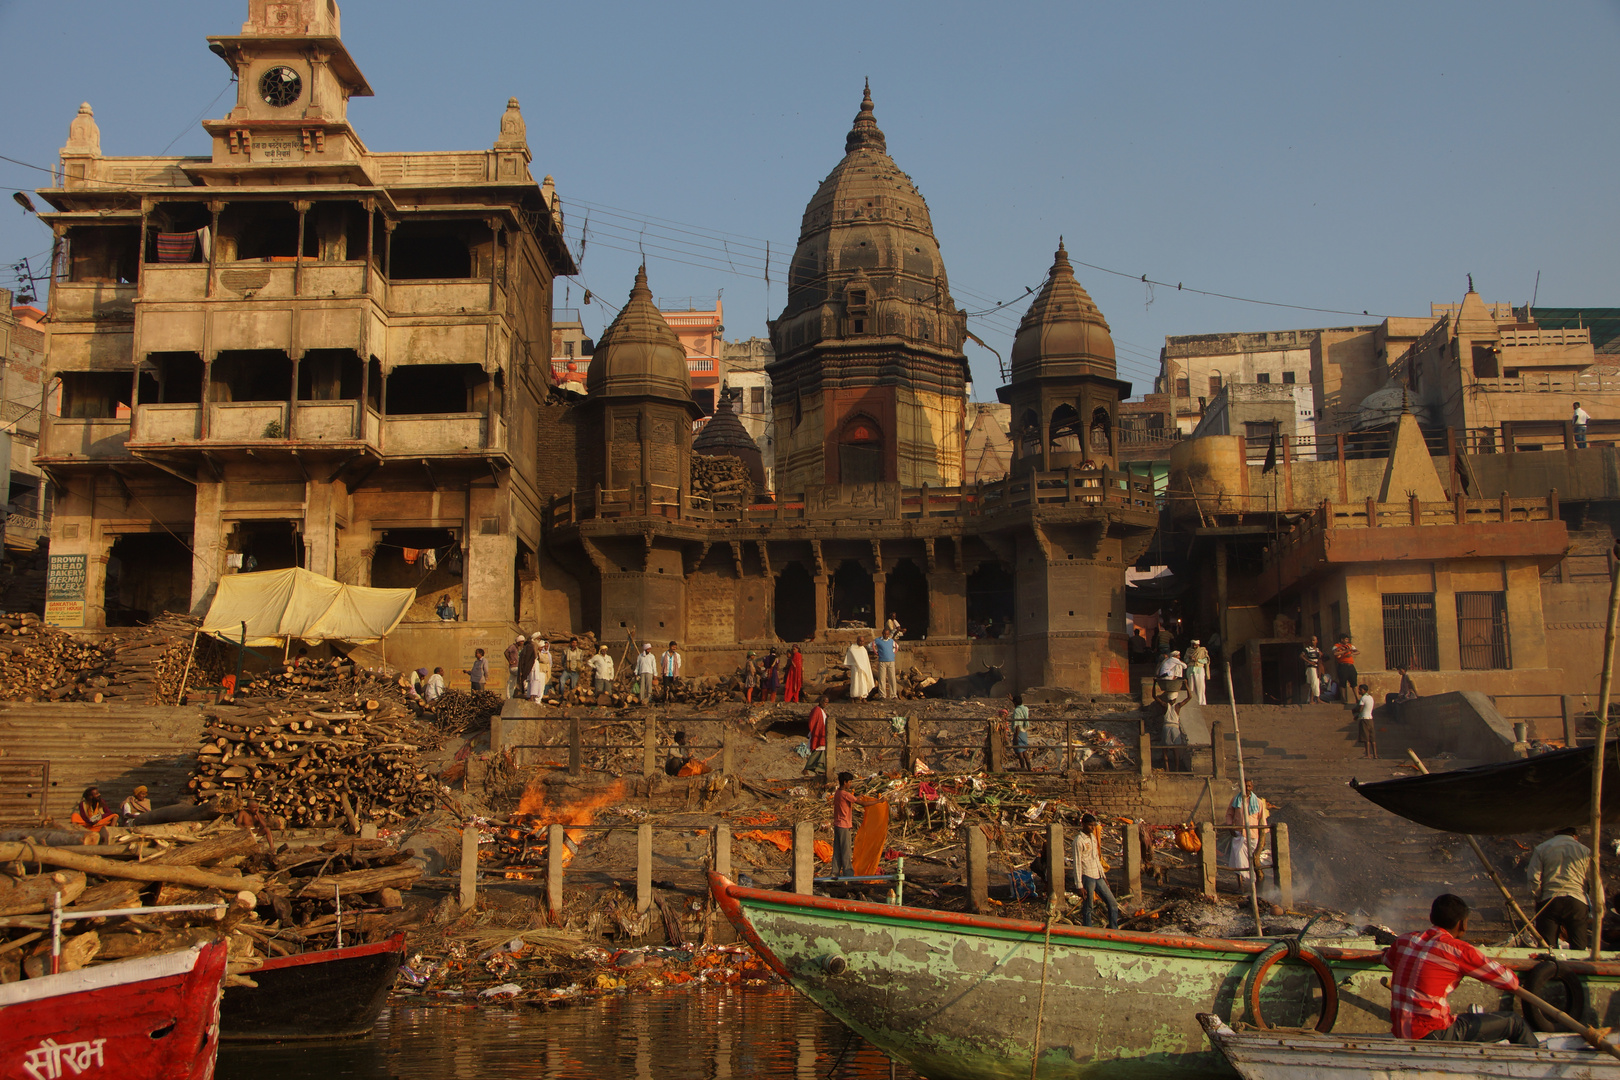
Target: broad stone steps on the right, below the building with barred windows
[{"x": 1347, "y": 853}]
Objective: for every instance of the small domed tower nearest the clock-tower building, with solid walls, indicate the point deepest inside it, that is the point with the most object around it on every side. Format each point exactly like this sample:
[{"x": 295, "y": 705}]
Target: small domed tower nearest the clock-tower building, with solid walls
[{"x": 641, "y": 399}]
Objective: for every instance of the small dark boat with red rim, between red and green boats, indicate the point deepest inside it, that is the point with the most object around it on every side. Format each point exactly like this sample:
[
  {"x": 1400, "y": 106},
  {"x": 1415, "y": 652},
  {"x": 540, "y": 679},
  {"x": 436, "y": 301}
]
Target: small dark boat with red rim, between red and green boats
[{"x": 333, "y": 993}]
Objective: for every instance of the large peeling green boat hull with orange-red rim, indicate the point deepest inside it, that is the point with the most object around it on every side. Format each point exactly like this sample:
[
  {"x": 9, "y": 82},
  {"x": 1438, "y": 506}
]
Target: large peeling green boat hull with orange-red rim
[{"x": 957, "y": 997}]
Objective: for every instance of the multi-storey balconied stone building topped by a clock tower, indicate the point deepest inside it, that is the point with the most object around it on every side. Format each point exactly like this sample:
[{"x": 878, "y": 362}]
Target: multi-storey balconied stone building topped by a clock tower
[{"x": 302, "y": 352}]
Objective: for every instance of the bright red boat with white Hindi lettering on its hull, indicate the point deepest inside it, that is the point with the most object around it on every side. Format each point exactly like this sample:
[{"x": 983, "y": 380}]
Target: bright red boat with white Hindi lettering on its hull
[{"x": 150, "y": 1018}]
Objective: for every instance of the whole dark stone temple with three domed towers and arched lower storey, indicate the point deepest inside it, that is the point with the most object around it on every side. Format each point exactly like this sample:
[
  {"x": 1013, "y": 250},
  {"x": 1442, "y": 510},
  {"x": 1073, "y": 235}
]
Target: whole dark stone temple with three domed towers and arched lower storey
[{"x": 871, "y": 514}]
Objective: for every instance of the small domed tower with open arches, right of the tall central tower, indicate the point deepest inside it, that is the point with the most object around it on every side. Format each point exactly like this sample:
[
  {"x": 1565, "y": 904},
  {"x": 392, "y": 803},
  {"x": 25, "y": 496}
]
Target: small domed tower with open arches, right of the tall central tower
[{"x": 1064, "y": 393}]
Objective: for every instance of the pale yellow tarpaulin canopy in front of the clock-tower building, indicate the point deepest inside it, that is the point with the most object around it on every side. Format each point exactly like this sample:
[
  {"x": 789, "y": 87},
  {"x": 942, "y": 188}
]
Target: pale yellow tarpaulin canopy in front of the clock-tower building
[{"x": 297, "y": 603}]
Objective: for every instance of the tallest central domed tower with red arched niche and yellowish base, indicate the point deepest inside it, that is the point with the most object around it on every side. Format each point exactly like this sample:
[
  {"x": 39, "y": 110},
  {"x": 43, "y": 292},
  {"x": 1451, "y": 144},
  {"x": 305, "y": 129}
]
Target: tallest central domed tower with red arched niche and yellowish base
[{"x": 869, "y": 381}]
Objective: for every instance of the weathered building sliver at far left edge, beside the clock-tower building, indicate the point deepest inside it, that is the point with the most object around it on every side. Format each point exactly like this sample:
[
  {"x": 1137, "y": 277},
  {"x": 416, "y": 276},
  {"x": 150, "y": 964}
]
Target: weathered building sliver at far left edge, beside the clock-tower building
[{"x": 30, "y": 496}]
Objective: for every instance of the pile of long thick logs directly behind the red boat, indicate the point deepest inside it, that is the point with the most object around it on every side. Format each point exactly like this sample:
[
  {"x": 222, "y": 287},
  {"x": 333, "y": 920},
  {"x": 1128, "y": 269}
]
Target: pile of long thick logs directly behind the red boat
[{"x": 270, "y": 903}]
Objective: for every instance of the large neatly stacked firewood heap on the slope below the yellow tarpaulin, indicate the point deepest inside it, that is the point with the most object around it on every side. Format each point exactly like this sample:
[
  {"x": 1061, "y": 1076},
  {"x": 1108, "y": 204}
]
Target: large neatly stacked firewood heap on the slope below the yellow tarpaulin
[{"x": 320, "y": 767}]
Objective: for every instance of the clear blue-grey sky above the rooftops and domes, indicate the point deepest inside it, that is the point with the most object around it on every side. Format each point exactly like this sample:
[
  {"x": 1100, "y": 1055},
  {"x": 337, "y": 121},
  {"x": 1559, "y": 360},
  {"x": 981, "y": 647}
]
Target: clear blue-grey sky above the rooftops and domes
[{"x": 1342, "y": 158}]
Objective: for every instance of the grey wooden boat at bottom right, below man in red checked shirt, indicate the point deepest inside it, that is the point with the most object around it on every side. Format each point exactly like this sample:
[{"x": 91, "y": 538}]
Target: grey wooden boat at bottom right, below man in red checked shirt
[{"x": 1313, "y": 1057}]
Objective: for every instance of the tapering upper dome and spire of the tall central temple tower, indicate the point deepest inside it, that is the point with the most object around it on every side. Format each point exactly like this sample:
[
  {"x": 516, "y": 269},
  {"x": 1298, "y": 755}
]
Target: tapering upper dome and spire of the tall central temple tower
[{"x": 868, "y": 260}]
